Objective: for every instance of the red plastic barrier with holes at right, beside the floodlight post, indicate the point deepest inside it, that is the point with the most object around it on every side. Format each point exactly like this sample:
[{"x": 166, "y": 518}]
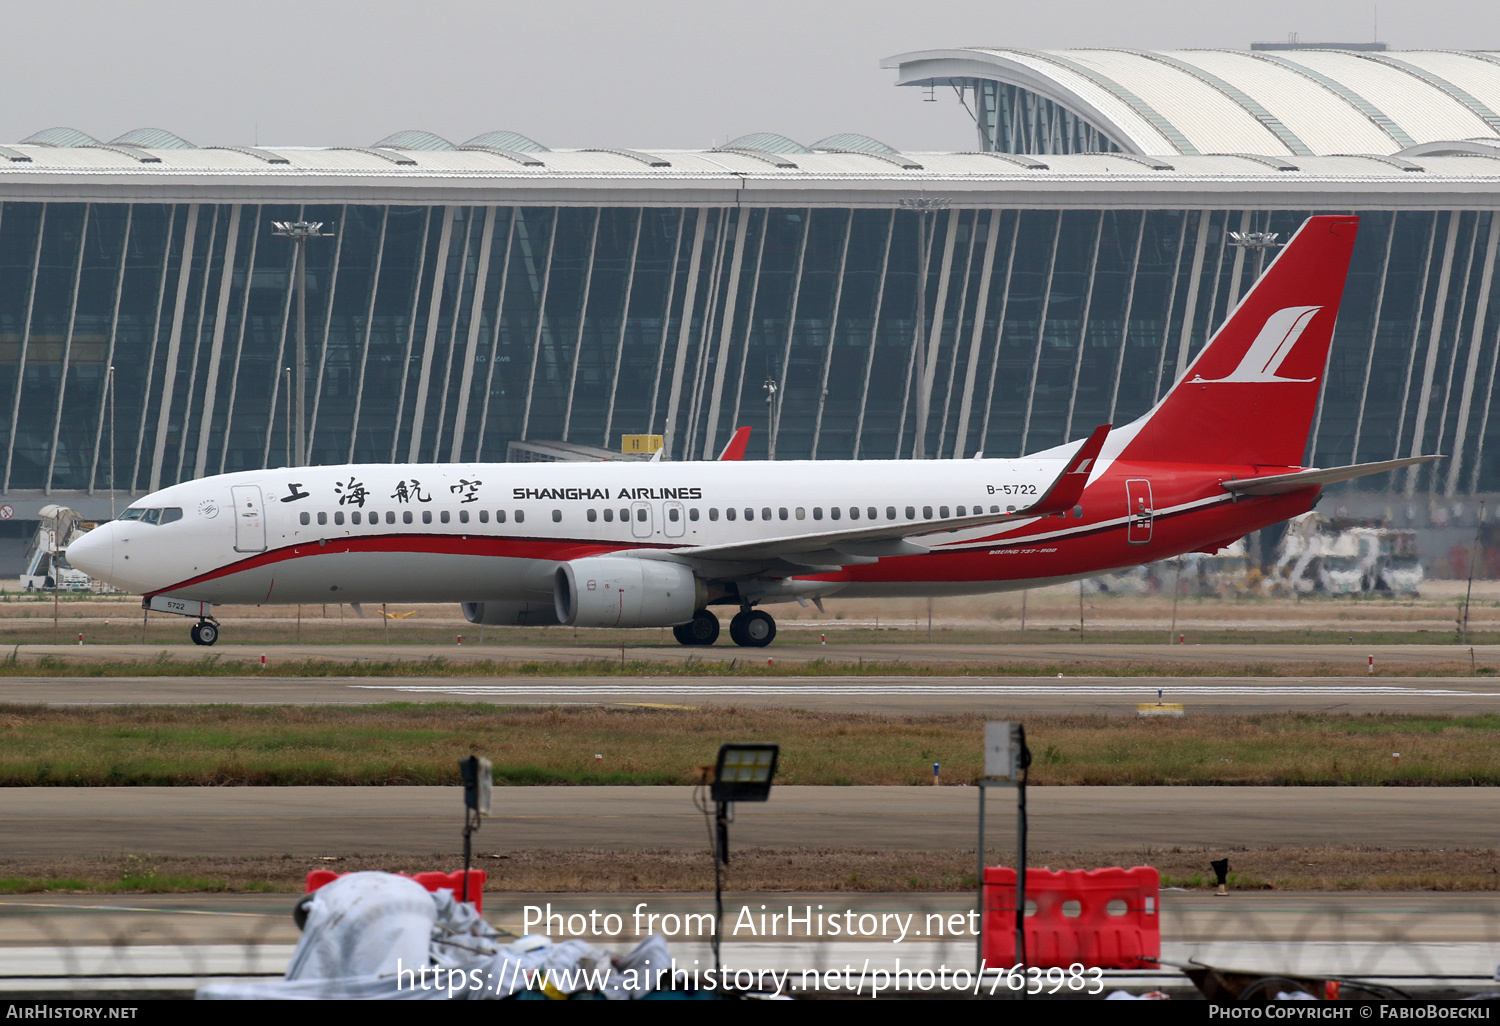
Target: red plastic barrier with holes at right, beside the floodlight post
[{"x": 1127, "y": 937}]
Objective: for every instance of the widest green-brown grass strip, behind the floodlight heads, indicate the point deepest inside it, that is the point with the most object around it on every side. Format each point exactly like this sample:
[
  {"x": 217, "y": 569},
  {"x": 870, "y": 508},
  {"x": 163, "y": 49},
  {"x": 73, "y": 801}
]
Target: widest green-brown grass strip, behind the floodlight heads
[{"x": 422, "y": 743}]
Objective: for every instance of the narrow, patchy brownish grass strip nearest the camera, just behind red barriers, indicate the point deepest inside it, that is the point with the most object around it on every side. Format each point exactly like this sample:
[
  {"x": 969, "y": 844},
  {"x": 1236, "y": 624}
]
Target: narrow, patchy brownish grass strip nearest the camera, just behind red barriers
[{"x": 769, "y": 871}]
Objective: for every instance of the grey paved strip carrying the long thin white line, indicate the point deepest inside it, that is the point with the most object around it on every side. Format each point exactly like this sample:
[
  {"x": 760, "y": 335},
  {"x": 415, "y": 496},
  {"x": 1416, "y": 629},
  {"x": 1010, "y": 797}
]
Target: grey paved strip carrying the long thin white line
[{"x": 883, "y": 695}]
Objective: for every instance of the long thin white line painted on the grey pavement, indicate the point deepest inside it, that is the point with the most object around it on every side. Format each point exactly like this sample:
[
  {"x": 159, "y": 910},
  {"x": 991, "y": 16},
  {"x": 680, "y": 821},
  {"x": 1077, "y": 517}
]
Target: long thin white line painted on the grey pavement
[{"x": 1043, "y": 691}]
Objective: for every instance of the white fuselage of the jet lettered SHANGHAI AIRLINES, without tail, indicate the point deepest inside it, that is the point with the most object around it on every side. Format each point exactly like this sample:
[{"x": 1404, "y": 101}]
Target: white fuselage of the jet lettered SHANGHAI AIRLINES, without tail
[{"x": 497, "y": 532}]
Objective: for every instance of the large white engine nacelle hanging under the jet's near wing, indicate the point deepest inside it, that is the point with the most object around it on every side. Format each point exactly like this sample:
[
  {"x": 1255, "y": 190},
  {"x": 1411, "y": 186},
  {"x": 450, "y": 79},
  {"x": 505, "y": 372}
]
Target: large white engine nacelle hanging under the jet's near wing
[{"x": 623, "y": 592}]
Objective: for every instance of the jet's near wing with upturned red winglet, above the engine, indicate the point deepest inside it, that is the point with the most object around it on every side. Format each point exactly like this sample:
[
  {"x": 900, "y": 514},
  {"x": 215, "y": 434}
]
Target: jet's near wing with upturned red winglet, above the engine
[{"x": 832, "y": 550}]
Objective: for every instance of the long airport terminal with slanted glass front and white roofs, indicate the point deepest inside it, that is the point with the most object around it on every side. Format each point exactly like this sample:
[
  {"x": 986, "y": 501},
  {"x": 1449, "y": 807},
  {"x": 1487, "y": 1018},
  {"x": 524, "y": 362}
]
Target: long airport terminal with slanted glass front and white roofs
[{"x": 490, "y": 299}]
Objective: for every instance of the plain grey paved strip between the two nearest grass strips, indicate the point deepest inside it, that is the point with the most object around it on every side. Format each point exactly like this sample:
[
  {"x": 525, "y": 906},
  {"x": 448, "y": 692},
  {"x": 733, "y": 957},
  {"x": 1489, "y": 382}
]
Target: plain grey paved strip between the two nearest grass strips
[{"x": 338, "y": 821}]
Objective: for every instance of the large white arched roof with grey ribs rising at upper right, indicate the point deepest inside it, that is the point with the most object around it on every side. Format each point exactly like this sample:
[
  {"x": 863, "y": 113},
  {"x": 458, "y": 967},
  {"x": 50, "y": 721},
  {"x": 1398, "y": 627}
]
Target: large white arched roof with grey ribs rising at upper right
[{"x": 1303, "y": 103}]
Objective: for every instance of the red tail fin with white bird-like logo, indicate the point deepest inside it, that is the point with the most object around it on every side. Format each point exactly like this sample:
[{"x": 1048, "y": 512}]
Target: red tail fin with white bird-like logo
[{"x": 1250, "y": 395}]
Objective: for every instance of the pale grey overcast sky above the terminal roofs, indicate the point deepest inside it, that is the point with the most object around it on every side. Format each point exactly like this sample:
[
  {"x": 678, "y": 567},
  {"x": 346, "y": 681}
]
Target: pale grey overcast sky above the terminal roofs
[{"x": 671, "y": 74}]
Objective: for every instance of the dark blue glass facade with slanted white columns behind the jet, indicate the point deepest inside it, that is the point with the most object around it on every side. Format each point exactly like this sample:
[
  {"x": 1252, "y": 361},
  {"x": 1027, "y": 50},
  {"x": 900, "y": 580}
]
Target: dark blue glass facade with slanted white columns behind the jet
[{"x": 446, "y": 332}]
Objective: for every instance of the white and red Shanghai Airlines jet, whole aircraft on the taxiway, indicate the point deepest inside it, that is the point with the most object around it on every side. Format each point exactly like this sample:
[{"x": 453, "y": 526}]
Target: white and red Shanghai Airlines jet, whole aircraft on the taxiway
[{"x": 656, "y": 545}]
